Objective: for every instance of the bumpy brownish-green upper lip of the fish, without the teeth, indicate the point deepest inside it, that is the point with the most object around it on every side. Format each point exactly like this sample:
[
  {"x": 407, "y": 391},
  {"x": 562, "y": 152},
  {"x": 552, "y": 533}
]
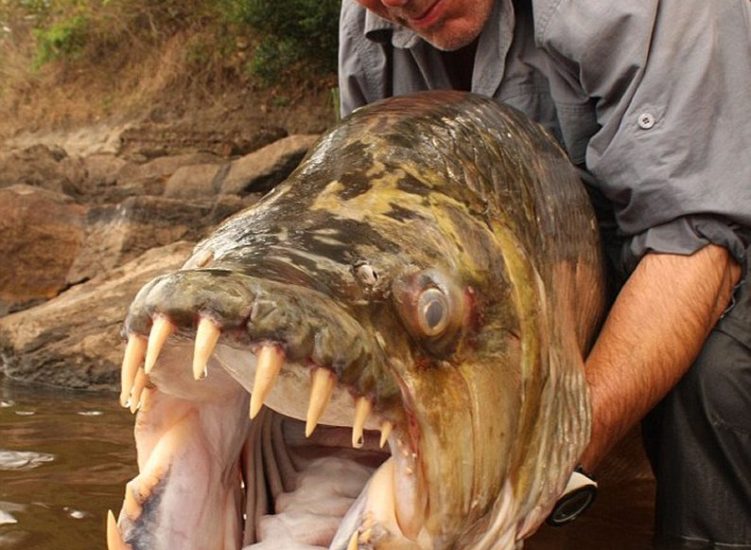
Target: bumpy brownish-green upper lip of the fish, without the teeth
[{"x": 309, "y": 325}]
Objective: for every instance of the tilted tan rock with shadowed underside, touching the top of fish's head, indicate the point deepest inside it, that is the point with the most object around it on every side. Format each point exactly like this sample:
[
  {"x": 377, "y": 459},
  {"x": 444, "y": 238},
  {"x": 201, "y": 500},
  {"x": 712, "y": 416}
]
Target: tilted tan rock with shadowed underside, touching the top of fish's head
[{"x": 261, "y": 170}]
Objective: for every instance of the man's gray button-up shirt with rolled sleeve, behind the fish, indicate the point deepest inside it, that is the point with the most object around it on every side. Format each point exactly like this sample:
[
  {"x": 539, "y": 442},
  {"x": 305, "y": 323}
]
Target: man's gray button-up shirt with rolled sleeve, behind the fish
[{"x": 651, "y": 97}]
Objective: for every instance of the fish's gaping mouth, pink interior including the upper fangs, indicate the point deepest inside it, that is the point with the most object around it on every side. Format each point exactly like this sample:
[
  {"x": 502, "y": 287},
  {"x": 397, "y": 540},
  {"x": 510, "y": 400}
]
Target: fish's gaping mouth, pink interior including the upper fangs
[{"x": 257, "y": 447}]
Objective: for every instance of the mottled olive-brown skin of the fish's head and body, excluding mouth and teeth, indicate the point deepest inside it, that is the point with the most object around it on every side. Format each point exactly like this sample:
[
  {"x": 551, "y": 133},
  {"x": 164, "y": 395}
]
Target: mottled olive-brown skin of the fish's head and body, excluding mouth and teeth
[{"x": 443, "y": 192}]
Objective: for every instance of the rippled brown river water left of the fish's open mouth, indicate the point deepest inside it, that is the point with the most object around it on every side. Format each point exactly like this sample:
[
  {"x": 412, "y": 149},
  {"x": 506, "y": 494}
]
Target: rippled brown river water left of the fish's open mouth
[{"x": 64, "y": 460}]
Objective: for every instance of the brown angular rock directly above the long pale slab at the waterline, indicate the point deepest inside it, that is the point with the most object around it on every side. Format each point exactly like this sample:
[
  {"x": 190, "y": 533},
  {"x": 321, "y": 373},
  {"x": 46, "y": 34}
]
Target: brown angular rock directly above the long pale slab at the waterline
[{"x": 117, "y": 234}]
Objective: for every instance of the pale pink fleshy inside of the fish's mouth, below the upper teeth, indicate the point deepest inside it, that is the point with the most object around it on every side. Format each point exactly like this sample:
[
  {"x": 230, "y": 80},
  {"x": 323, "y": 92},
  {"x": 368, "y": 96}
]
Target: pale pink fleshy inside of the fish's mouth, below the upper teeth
[{"x": 211, "y": 478}]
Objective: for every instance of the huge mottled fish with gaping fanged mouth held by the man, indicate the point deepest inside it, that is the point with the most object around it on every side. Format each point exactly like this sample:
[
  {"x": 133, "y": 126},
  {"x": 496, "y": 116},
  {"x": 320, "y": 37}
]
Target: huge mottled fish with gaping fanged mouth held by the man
[{"x": 385, "y": 352}]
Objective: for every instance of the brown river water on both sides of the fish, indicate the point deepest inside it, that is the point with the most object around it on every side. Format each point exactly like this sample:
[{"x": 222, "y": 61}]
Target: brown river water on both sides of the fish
[{"x": 65, "y": 458}]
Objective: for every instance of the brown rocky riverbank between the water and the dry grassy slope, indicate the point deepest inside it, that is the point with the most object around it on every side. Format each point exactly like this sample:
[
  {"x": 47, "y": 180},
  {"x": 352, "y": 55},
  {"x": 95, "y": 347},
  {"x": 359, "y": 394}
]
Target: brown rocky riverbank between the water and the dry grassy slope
[{"x": 86, "y": 218}]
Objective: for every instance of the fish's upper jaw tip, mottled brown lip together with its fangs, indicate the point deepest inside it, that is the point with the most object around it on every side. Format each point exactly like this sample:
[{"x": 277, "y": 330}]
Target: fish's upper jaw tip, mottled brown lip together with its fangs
[{"x": 272, "y": 324}]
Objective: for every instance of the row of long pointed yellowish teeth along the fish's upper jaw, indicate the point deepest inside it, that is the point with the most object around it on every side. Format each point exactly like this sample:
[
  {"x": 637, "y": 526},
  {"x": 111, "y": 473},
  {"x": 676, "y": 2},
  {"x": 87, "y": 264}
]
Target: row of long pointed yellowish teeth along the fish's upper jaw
[{"x": 141, "y": 355}]
